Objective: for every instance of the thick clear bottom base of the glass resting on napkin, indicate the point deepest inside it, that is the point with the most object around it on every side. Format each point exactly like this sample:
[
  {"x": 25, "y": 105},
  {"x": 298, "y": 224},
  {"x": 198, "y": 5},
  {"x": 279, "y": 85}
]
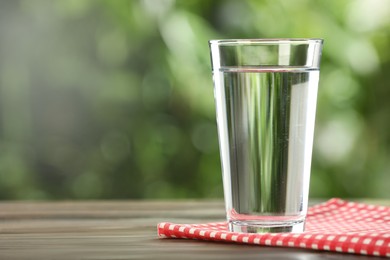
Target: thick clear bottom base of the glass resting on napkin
[{"x": 267, "y": 227}]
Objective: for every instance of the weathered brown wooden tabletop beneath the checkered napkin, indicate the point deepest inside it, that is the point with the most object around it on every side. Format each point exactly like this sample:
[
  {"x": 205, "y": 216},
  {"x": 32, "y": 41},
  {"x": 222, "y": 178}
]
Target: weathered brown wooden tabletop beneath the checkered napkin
[{"x": 122, "y": 230}]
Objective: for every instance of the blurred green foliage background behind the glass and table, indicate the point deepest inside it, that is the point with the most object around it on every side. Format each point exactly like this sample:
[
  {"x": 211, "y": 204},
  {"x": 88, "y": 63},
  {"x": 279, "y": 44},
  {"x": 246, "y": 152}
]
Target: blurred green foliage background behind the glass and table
[{"x": 114, "y": 99}]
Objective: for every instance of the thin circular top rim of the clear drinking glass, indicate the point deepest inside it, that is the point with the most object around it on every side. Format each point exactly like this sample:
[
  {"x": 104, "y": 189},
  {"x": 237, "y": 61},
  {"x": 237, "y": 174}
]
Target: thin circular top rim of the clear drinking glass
[{"x": 266, "y": 41}]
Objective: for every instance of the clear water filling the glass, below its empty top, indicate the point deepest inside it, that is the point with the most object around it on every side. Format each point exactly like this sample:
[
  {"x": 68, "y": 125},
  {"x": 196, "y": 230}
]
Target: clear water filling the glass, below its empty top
[{"x": 265, "y": 124}]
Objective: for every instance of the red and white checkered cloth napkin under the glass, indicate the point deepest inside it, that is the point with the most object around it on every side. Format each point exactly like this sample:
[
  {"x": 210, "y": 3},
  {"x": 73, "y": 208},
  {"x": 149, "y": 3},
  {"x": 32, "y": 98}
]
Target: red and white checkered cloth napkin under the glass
[{"x": 335, "y": 225}]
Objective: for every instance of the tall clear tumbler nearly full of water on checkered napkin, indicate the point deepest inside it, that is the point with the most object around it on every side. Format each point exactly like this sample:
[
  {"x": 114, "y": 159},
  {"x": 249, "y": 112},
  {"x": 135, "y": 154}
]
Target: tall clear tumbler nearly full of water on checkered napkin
[{"x": 265, "y": 92}]
